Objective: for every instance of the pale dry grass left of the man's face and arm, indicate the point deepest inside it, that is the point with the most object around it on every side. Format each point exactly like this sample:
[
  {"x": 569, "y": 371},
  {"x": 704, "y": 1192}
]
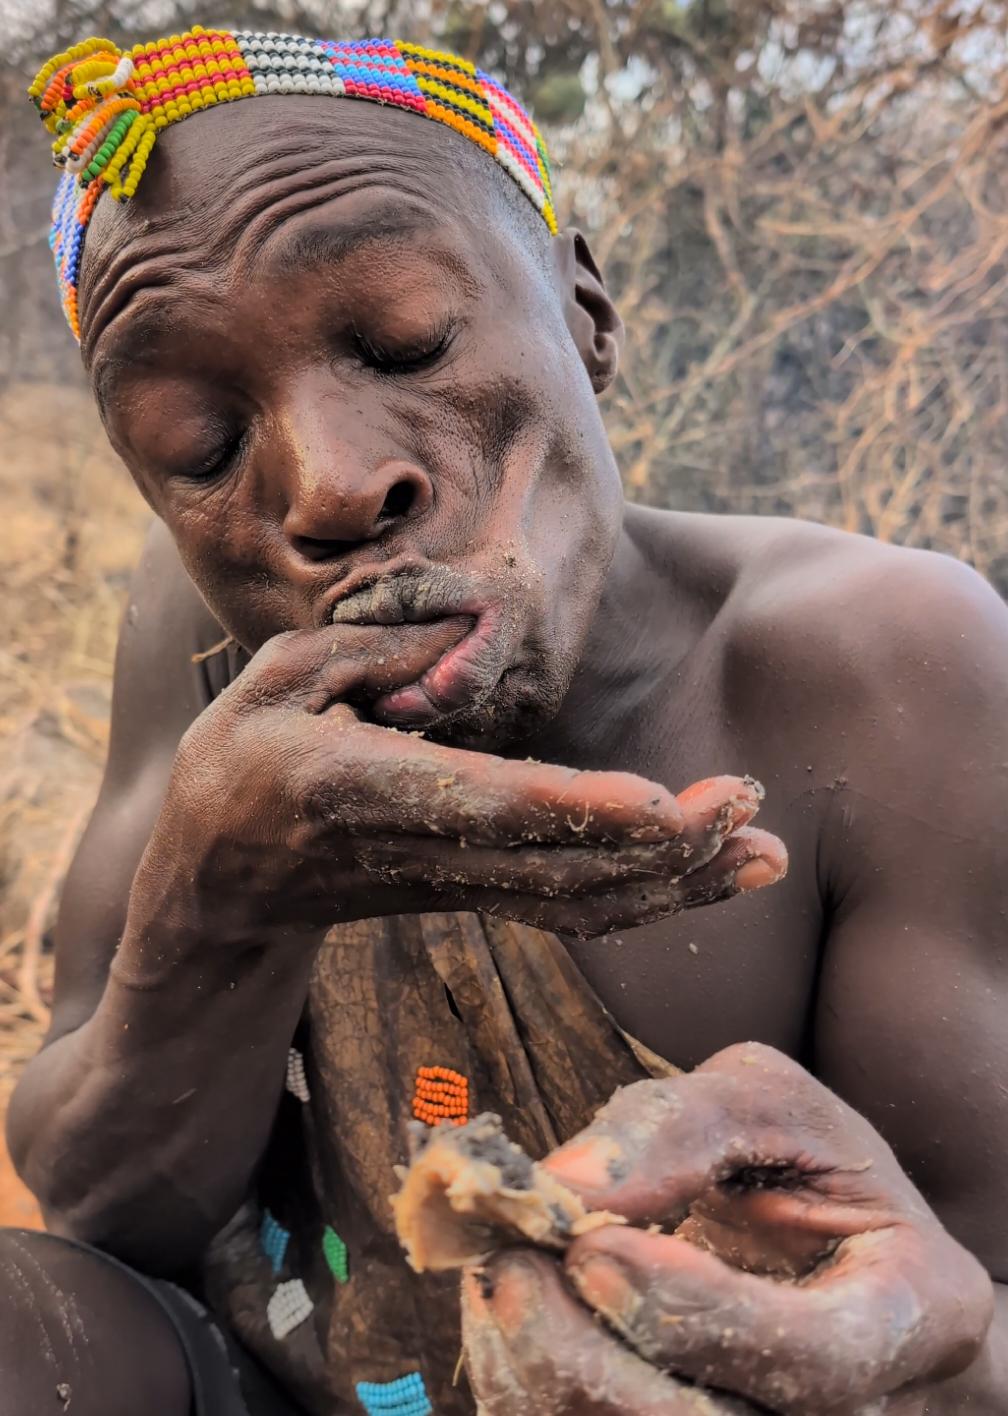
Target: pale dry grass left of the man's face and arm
[{"x": 70, "y": 530}]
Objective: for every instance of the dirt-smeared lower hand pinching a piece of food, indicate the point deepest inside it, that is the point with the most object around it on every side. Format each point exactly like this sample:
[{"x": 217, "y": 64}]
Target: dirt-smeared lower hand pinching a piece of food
[{"x": 806, "y": 1275}]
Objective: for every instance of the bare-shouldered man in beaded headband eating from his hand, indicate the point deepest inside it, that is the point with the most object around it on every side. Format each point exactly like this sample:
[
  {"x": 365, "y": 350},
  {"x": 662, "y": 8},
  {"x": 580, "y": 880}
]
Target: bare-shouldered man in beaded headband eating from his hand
[{"x": 355, "y": 375}]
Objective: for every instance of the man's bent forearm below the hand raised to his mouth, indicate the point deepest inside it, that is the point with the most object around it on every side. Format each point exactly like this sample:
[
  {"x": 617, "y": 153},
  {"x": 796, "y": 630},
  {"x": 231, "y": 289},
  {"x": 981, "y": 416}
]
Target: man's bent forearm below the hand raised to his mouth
[{"x": 141, "y": 1131}]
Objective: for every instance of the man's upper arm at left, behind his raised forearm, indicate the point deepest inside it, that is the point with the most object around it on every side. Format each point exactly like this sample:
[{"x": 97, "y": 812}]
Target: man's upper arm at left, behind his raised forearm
[{"x": 158, "y": 693}]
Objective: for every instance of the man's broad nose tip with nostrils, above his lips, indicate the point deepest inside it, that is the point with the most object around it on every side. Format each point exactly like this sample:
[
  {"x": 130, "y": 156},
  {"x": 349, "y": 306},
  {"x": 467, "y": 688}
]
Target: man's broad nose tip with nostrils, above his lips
[{"x": 352, "y": 503}]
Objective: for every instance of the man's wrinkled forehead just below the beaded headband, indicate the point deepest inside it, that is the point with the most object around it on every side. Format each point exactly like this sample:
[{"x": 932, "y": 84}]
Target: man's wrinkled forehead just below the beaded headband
[{"x": 297, "y": 179}]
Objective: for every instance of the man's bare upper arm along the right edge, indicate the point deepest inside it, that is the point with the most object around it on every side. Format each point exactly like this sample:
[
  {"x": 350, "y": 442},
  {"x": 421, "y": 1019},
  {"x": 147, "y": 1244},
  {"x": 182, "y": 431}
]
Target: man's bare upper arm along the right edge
[{"x": 912, "y": 1012}]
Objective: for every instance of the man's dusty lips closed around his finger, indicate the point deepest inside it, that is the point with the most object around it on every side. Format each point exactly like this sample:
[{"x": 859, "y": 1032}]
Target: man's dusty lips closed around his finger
[{"x": 468, "y": 670}]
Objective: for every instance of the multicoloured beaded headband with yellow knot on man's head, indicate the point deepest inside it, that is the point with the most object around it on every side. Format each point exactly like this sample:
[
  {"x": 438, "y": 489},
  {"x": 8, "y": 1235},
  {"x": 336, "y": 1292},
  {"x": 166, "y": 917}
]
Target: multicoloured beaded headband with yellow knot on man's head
[{"x": 107, "y": 108}]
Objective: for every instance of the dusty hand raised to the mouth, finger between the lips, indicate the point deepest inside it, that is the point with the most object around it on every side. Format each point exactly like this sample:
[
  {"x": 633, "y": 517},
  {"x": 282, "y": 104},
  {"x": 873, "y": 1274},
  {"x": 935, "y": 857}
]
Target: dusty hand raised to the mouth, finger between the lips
[{"x": 292, "y": 808}]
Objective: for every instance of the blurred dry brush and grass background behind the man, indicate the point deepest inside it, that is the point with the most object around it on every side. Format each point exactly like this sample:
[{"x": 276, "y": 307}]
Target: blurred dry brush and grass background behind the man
[{"x": 801, "y": 205}]
